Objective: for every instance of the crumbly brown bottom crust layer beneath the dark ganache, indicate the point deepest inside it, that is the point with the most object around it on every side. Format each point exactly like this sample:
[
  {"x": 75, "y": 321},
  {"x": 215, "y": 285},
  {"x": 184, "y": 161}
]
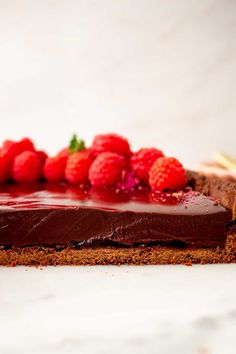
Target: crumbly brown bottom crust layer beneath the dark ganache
[{"x": 44, "y": 256}]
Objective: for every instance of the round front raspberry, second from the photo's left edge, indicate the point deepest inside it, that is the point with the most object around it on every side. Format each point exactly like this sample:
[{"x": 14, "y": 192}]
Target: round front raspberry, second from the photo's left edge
[{"x": 26, "y": 167}]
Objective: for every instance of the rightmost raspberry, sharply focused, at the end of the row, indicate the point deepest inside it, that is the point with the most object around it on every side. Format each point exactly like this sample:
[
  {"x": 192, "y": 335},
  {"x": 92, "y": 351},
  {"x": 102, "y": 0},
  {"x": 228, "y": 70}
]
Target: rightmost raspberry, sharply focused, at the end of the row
[{"x": 167, "y": 173}]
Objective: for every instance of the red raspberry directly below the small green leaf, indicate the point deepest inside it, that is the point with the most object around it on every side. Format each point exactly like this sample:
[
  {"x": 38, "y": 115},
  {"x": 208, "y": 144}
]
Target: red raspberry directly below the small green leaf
[{"x": 77, "y": 168}]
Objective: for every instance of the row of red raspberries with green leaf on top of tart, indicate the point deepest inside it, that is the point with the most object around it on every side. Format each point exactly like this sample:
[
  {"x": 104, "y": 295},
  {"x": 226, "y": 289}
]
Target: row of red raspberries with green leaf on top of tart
[{"x": 108, "y": 162}]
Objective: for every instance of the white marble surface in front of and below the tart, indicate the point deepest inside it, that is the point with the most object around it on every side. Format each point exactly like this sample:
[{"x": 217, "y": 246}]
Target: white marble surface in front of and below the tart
[{"x": 129, "y": 310}]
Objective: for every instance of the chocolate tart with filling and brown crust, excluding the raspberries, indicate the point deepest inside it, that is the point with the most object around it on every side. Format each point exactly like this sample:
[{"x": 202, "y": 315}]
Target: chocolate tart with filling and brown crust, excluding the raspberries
[{"x": 50, "y": 225}]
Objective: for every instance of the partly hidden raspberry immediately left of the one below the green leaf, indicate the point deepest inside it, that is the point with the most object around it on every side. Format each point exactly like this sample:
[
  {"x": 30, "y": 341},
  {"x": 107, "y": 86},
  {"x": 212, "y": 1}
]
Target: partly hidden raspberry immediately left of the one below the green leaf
[{"x": 54, "y": 168}]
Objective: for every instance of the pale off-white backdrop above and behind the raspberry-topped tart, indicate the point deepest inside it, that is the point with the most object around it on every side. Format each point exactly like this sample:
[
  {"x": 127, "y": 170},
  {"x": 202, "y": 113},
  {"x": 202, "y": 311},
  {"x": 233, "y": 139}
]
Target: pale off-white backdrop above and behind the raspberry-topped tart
[{"x": 160, "y": 72}]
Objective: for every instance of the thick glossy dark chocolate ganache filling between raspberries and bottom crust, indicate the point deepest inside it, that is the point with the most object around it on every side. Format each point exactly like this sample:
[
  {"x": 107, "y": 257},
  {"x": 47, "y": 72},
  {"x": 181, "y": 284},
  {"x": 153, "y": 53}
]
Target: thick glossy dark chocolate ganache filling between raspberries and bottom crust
[{"x": 61, "y": 215}]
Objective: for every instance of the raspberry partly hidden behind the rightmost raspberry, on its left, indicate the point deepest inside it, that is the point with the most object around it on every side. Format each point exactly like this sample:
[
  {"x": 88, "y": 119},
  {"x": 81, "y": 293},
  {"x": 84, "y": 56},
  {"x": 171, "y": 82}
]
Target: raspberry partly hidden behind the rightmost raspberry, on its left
[{"x": 142, "y": 161}]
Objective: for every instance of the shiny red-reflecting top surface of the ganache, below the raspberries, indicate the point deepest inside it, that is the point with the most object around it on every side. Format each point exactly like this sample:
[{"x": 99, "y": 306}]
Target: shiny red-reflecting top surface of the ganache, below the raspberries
[{"x": 43, "y": 195}]
